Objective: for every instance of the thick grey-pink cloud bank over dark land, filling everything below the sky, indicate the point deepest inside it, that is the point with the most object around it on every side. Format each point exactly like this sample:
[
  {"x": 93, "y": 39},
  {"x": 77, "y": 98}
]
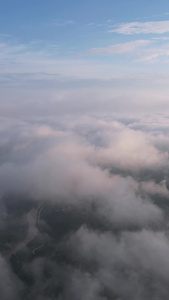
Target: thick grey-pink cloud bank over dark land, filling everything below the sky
[{"x": 84, "y": 210}]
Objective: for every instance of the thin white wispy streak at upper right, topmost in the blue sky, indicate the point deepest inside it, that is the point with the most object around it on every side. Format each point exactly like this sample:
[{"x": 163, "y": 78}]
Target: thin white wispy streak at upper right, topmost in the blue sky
[{"x": 142, "y": 27}]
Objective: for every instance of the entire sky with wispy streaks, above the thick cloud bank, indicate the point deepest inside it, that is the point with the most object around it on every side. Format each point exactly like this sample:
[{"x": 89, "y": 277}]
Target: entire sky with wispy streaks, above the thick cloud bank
[{"x": 77, "y": 49}]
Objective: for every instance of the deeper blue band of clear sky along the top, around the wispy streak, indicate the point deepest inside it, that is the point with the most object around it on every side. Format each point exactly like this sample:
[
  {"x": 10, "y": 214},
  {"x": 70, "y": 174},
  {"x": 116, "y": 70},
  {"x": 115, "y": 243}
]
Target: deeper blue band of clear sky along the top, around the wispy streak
[{"x": 76, "y": 24}]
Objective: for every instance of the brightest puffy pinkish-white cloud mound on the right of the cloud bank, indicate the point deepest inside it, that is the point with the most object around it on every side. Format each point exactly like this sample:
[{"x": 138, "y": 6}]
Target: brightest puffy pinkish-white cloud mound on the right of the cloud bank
[{"x": 125, "y": 142}]
